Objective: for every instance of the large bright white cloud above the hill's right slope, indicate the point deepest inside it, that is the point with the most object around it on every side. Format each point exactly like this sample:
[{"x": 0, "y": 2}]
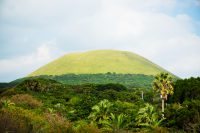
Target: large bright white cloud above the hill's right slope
[{"x": 169, "y": 41}]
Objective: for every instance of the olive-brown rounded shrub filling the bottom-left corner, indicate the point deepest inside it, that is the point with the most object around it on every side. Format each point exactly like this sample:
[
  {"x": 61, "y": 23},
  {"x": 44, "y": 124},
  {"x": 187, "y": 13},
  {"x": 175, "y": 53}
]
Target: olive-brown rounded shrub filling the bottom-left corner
[{"x": 17, "y": 120}]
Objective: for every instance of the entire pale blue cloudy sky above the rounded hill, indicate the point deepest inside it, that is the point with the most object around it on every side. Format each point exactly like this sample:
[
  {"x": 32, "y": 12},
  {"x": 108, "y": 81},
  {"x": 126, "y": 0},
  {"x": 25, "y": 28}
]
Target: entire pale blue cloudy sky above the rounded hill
[{"x": 35, "y": 32}]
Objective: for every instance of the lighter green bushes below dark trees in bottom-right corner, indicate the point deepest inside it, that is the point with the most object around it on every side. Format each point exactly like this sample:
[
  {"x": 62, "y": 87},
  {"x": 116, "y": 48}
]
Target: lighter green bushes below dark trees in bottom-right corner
[{"x": 185, "y": 116}]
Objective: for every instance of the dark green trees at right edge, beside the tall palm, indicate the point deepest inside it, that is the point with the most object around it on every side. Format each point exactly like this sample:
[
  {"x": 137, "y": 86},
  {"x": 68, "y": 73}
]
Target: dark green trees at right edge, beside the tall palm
[{"x": 183, "y": 110}]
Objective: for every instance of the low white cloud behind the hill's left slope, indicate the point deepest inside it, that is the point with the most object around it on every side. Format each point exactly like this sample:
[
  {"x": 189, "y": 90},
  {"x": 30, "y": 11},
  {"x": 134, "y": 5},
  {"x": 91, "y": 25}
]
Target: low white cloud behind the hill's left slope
[{"x": 26, "y": 64}]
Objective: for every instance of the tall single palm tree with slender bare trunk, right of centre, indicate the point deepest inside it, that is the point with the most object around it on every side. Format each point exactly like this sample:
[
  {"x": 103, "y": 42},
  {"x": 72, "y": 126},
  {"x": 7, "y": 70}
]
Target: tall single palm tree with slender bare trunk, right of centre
[{"x": 163, "y": 85}]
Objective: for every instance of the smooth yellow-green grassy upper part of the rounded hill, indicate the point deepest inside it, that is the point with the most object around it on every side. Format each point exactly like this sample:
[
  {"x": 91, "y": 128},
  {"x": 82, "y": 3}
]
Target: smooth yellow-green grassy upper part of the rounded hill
[{"x": 99, "y": 61}]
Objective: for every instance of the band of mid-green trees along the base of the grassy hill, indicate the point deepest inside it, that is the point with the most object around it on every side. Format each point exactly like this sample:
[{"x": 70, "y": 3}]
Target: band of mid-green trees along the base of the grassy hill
[{"x": 128, "y": 80}]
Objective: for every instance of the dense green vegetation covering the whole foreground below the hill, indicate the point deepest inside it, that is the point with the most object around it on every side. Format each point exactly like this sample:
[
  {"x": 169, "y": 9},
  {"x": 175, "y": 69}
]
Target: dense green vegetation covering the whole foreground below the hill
[{"x": 46, "y": 105}]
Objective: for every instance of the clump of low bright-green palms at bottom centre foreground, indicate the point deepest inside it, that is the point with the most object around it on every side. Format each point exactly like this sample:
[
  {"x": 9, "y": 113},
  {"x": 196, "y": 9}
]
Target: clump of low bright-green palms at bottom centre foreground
[{"x": 102, "y": 116}]
